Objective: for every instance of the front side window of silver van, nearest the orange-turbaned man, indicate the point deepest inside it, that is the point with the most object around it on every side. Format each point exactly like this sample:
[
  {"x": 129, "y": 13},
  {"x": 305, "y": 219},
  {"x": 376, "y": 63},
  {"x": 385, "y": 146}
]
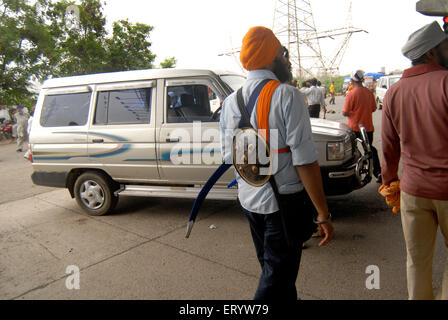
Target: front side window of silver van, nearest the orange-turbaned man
[{"x": 189, "y": 103}]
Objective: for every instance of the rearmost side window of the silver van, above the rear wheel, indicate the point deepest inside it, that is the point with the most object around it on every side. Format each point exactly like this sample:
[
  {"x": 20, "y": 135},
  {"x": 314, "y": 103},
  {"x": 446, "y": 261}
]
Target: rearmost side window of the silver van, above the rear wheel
[{"x": 65, "y": 110}]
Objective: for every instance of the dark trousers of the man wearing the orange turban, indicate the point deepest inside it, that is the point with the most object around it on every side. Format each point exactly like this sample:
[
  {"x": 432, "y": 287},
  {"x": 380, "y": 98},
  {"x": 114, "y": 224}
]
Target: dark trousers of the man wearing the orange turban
[{"x": 280, "y": 262}]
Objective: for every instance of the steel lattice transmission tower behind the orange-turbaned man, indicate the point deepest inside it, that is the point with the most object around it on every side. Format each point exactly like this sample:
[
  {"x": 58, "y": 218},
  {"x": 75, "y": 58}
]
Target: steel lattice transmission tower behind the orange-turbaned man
[{"x": 295, "y": 28}]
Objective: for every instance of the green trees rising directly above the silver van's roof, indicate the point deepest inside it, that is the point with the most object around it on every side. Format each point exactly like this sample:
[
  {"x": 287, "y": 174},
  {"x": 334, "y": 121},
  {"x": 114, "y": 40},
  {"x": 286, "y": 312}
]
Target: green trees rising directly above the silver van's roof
[{"x": 85, "y": 47}]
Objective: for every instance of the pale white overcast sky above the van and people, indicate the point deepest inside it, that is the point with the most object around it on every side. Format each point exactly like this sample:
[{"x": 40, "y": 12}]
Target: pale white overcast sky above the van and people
[{"x": 197, "y": 32}]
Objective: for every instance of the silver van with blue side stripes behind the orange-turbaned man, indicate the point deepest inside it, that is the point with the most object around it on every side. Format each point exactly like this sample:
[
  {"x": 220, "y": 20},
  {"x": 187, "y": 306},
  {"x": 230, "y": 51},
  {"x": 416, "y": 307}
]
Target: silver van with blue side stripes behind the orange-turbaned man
[{"x": 156, "y": 133}]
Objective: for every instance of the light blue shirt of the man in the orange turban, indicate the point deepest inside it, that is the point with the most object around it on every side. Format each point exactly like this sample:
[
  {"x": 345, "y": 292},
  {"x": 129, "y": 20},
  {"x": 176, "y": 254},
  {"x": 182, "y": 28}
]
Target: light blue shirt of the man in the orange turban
[{"x": 289, "y": 119}]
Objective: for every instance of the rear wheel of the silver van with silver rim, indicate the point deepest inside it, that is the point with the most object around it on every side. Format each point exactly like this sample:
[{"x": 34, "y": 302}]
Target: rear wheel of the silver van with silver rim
[{"x": 94, "y": 193}]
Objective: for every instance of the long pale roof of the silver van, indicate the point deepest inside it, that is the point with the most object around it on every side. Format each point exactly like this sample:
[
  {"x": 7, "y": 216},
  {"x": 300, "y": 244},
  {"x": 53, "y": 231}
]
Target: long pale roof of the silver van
[{"x": 137, "y": 75}]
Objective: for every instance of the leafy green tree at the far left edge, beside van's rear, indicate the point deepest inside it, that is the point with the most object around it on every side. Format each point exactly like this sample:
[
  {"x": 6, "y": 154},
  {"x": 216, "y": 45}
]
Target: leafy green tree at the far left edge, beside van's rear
[{"x": 24, "y": 44}]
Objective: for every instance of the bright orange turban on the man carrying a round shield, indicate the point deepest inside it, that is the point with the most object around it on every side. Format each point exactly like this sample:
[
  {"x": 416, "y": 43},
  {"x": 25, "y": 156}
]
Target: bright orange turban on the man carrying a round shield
[{"x": 260, "y": 47}]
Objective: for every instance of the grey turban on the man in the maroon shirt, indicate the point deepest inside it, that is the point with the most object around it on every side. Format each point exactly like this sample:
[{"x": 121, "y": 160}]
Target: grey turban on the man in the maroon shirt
[{"x": 423, "y": 40}]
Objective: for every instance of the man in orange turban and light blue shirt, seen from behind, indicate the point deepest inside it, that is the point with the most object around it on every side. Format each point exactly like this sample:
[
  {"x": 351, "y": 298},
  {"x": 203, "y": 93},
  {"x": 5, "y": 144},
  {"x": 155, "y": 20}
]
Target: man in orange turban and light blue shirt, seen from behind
[{"x": 278, "y": 228}]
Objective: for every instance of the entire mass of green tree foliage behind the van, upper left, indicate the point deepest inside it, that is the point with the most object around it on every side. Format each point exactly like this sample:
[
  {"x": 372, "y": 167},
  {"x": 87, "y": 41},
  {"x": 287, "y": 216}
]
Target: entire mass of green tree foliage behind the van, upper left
[{"x": 45, "y": 39}]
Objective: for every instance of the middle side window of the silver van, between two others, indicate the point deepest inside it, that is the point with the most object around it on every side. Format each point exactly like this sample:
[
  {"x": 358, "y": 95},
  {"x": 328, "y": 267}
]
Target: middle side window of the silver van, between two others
[{"x": 132, "y": 106}]
